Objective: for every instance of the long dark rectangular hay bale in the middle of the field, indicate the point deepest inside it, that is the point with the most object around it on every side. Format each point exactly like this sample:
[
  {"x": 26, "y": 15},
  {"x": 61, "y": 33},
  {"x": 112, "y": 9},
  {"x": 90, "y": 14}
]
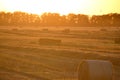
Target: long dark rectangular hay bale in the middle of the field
[{"x": 46, "y": 41}]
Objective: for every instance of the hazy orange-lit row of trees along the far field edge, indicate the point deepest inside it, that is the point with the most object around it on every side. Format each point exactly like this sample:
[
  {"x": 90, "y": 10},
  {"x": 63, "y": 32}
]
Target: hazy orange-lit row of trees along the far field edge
[{"x": 55, "y": 19}]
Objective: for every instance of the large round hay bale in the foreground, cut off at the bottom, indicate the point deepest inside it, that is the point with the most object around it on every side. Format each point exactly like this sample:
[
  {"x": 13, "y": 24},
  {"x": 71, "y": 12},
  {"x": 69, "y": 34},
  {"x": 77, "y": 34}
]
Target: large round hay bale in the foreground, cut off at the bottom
[{"x": 95, "y": 70}]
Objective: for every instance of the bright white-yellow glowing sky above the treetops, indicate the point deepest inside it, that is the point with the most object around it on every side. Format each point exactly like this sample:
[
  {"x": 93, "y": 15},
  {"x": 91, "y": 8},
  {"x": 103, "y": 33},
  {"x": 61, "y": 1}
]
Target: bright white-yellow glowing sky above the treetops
[{"x": 89, "y": 7}]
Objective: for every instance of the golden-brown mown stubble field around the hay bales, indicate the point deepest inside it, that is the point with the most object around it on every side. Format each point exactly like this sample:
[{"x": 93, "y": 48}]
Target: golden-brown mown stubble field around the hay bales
[{"x": 23, "y": 56}]
